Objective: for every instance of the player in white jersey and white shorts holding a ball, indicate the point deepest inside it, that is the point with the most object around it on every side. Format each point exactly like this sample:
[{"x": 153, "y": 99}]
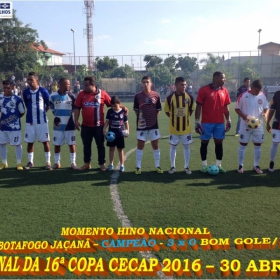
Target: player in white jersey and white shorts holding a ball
[{"x": 252, "y": 103}]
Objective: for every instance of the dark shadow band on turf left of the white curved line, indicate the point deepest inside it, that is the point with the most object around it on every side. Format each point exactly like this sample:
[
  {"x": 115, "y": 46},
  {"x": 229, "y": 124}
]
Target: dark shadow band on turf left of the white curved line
[{"x": 11, "y": 178}]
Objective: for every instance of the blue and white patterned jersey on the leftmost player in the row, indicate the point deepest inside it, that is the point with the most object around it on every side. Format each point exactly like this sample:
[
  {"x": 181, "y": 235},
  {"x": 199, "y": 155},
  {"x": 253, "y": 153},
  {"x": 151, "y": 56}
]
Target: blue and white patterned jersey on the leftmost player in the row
[{"x": 11, "y": 108}]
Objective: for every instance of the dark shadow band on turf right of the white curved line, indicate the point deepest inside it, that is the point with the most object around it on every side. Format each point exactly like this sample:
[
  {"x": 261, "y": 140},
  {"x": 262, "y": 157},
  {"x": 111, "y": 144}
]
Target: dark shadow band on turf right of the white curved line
[{"x": 229, "y": 181}]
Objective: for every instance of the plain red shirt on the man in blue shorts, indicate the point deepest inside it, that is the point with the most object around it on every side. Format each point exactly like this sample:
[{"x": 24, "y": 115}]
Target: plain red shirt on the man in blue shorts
[{"x": 213, "y": 101}]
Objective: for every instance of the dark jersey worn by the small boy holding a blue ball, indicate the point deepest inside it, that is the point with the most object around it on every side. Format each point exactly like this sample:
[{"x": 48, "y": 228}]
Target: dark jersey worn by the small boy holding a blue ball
[{"x": 116, "y": 121}]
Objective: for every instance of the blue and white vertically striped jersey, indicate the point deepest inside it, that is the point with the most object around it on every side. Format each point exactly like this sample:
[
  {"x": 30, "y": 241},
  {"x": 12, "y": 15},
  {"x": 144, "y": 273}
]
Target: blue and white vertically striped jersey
[{"x": 36, "y": 102}]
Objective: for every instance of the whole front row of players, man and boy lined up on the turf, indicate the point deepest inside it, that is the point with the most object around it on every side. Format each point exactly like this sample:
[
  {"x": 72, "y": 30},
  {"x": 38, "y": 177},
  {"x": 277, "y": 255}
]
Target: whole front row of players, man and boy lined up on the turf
[{"x": 212, "y": 119}]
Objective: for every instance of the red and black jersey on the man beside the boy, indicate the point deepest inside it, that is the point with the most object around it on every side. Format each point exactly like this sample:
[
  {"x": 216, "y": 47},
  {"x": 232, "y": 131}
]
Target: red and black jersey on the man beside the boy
[{"x": 92, "y": 105}]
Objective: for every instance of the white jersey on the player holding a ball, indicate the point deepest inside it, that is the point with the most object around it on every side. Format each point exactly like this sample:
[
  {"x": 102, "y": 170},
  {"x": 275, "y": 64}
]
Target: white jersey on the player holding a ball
[{"x": 252, "y": 106}]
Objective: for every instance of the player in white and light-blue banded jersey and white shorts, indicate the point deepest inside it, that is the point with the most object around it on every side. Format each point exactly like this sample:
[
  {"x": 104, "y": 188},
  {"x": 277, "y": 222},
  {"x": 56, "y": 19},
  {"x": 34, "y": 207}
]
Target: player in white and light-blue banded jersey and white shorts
[{"x": 62, "y": 106}]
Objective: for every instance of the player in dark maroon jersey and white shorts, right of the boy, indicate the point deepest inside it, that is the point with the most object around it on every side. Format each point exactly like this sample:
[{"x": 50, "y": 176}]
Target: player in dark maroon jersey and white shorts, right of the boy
[{"x": 147, "y": 106}]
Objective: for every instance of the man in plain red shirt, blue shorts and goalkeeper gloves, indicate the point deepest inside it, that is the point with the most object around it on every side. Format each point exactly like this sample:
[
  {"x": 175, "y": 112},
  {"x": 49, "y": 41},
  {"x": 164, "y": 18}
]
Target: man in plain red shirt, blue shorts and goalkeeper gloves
[{"x": 213, "y": 100}]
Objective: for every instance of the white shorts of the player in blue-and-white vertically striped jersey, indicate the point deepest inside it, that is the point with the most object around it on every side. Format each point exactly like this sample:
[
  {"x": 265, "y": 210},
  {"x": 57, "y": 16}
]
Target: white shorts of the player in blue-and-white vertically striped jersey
[{"x": 36, "y": 131}]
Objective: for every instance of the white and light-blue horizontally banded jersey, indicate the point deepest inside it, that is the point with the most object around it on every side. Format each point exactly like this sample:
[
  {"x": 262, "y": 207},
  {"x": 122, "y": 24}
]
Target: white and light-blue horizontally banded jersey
[{"x": 62, "y": 106}]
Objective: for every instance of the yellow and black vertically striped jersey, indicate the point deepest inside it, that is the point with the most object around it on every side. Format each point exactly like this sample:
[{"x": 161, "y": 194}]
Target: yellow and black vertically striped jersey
[{"x": 180, "y": 108}]
